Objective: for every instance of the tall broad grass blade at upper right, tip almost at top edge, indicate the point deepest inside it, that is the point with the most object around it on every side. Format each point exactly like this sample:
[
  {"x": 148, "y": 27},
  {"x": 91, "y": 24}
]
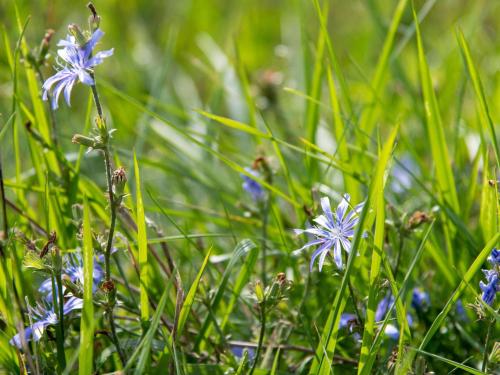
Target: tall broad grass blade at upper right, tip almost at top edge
[{"x": 435, "y": 130}]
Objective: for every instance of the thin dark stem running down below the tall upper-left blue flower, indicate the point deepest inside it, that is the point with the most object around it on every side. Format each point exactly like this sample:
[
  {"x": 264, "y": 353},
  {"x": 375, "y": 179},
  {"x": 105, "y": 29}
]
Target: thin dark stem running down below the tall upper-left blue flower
[{"x": 112, "y": 207}]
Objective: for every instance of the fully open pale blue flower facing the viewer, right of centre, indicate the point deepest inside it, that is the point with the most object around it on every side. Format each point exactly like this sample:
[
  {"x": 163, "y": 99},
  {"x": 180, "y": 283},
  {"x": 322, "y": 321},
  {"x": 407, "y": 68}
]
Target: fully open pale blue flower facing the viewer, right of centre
[{"x": 333, "y": 231}]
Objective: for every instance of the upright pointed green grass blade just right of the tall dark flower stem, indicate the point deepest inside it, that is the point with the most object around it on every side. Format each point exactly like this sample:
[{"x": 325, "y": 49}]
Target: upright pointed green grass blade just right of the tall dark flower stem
[{"x": 142, "y": 243}]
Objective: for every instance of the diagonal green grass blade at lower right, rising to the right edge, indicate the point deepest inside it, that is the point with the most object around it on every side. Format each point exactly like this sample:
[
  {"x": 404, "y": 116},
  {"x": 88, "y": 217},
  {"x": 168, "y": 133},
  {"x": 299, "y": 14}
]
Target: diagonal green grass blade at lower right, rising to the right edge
[{"x": 466, "y": 279}]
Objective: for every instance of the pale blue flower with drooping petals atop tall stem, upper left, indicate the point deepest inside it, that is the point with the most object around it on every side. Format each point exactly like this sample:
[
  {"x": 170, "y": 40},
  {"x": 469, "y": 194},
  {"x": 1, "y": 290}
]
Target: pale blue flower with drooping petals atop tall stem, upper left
[{"x": 78, "y": 64}]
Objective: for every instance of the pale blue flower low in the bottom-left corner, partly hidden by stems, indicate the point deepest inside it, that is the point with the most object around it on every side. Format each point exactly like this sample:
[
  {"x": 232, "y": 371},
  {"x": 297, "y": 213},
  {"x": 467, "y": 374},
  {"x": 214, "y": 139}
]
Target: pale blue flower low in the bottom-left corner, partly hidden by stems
[{"x": 44, "y": 317}]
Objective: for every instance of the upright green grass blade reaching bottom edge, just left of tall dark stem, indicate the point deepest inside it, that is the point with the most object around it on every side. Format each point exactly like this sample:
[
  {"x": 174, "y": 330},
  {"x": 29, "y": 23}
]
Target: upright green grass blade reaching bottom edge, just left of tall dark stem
[{"x": 85, "y": 360}]
